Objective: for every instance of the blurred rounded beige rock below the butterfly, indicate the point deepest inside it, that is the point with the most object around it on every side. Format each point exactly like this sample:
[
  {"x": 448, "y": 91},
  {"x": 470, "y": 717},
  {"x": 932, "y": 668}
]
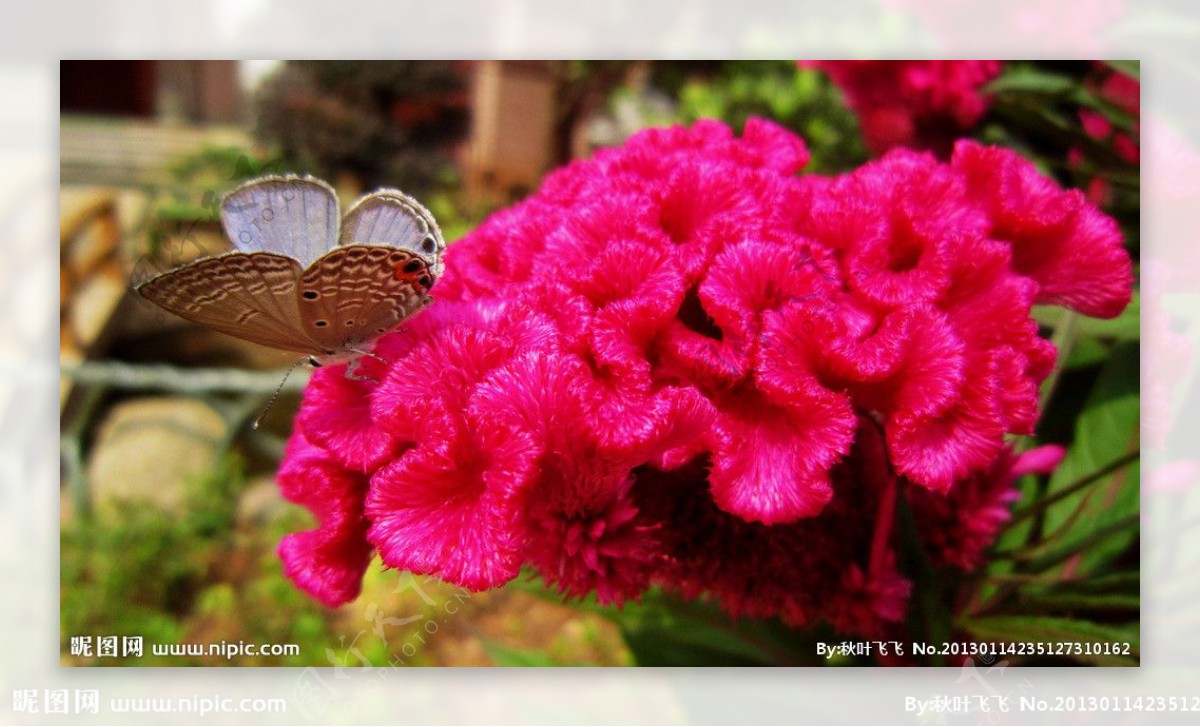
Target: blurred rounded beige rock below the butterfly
[{"x": 147, "y": 450}]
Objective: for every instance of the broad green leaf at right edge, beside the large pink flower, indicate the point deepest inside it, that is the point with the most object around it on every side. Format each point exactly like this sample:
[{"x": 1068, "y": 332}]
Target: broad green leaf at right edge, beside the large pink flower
[{"x": 1108, "y": 429}]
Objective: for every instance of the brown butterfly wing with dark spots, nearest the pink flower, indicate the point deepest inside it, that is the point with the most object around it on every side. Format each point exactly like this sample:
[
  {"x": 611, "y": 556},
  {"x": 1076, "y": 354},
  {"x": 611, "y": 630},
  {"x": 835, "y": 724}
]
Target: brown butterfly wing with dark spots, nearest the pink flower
[{"x": 357, "y": 292}]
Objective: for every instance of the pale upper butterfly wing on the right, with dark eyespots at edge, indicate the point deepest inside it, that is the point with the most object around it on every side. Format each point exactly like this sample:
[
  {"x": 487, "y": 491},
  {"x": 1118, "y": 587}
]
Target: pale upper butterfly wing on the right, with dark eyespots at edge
[{"x": 394, "y": 219}]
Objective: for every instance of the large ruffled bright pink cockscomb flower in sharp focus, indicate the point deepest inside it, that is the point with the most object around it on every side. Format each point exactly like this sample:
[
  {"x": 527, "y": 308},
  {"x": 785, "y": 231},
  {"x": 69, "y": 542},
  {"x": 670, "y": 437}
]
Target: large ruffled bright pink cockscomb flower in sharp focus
[{"x": 682, "y": 365}]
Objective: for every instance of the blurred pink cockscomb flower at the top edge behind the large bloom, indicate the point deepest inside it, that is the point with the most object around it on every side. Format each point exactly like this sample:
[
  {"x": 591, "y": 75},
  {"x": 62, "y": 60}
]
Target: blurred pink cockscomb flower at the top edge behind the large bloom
[{"x": 915, "y": 104}]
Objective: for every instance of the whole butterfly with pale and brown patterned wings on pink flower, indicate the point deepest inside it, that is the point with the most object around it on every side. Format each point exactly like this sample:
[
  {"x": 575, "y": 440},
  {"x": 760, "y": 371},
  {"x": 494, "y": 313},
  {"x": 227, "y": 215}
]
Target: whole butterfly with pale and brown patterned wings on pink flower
[{"x": 304, "y": 280}]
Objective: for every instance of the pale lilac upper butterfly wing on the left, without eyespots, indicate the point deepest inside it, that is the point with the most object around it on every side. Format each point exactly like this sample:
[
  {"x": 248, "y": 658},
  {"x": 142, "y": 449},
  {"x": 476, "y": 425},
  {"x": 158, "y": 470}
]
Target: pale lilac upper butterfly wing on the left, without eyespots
[{"x": 295, "y": 217}]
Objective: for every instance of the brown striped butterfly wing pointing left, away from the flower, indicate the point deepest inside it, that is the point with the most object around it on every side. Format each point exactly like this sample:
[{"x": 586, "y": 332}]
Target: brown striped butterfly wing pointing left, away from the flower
[{"x": 251, "y": 297}]
